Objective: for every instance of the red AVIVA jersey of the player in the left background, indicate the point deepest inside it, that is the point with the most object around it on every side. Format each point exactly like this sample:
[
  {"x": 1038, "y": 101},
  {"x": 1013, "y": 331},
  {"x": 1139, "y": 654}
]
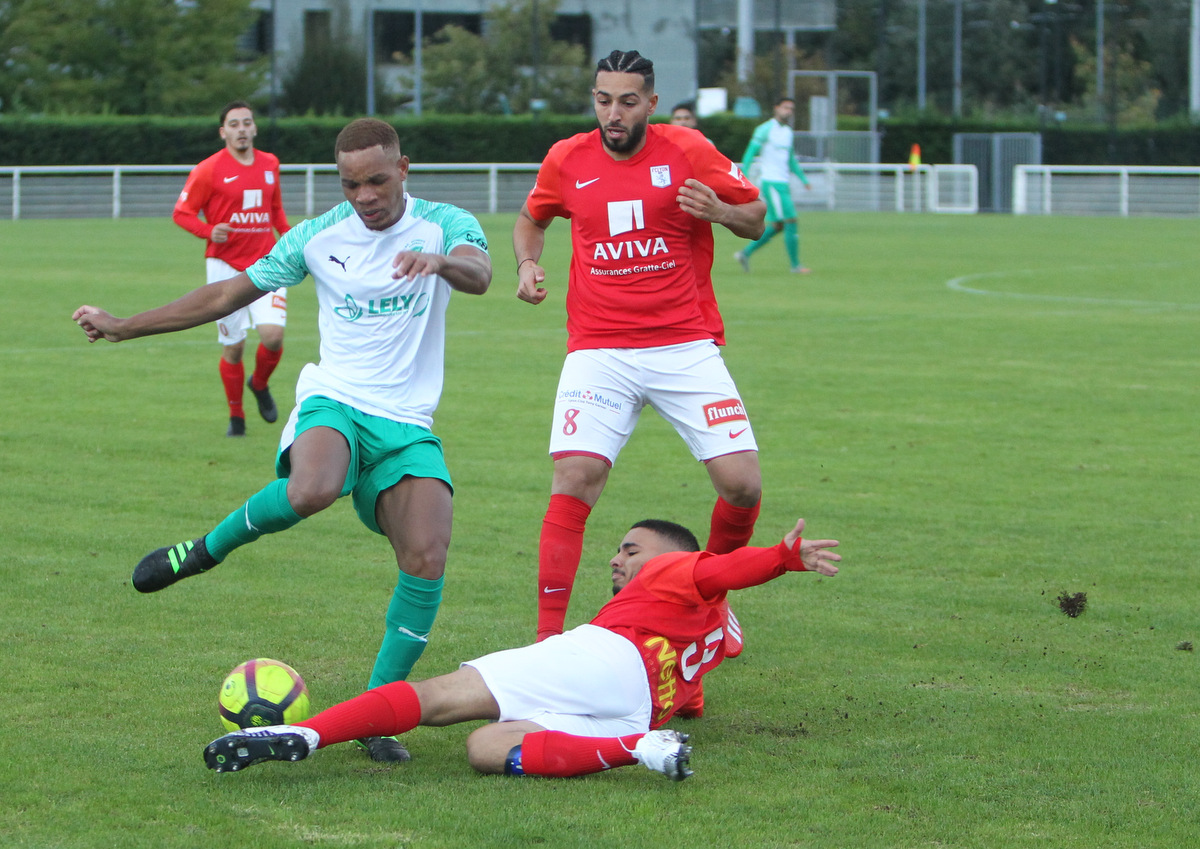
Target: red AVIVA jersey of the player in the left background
[{"x": 229, "y": 192}]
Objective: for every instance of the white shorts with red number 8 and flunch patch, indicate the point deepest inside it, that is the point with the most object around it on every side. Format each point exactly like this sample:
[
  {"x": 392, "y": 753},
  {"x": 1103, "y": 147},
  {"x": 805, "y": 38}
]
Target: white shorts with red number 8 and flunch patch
[{"x": 602, "y": 394}]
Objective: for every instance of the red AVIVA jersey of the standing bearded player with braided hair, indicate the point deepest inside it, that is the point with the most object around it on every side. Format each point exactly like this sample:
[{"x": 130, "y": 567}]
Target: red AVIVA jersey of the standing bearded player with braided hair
[{"x": 641, "y": 268}]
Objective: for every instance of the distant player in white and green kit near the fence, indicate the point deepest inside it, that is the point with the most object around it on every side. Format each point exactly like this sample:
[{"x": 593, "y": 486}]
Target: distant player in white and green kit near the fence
[{"x": 773, "y": 143}]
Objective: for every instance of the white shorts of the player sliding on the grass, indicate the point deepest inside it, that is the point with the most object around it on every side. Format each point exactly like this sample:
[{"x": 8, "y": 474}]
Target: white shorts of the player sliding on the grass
[{"x": 589, "y": 682}]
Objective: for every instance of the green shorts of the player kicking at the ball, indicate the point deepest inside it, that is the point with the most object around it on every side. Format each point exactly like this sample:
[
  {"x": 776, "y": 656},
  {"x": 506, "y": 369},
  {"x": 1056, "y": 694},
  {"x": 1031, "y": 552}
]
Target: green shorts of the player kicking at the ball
[{"x": 382, "y": 453}]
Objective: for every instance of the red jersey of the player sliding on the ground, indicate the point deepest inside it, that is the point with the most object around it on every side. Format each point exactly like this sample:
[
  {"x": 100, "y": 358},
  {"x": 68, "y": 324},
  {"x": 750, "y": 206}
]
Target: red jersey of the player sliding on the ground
[{"x": 673, "y": 612}]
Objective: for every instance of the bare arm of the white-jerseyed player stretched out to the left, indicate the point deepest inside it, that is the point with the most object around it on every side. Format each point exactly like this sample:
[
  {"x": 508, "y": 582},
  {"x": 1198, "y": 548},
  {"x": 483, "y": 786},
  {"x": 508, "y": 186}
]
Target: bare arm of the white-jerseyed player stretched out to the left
[{"x": 200, "y": 306}]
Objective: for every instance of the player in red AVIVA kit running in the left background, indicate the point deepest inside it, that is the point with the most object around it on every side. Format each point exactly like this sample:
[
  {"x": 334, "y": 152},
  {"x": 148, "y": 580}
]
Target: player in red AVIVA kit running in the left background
[{"x": 238, "y": 192}]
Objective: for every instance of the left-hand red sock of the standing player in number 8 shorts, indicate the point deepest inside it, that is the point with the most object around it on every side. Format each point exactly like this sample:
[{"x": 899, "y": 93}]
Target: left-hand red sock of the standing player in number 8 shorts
[{"x": 559, "y": 559}]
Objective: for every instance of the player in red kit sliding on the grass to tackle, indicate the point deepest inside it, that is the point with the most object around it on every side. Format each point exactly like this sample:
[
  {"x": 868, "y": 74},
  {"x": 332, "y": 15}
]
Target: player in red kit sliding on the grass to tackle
[{"x": 586, "y": 701}]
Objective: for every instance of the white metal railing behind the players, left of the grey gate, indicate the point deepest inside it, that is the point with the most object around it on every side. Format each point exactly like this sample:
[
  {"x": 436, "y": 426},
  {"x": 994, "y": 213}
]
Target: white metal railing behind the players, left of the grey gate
[{"x": 309, "y": 190}]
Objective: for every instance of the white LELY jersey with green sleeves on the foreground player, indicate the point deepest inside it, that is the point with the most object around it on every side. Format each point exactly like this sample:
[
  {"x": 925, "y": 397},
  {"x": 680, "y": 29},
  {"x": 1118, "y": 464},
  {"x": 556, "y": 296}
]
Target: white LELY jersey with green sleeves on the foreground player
[{"x": 382, "y": 340}]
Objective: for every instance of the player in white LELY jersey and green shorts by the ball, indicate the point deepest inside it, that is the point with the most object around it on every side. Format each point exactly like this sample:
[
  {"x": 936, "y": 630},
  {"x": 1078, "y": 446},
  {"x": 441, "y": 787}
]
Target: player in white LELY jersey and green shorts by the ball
[{"x": 385, "y": 266}]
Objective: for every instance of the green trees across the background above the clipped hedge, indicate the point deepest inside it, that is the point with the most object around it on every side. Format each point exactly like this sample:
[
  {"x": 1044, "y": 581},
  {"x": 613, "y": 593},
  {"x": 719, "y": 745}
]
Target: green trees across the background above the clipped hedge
[{"x": 1019, "y": 59}]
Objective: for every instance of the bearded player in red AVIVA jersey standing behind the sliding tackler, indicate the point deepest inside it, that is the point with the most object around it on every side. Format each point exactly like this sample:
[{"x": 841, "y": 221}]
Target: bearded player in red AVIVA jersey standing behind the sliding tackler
[{"x": 643, "y": 322}]
